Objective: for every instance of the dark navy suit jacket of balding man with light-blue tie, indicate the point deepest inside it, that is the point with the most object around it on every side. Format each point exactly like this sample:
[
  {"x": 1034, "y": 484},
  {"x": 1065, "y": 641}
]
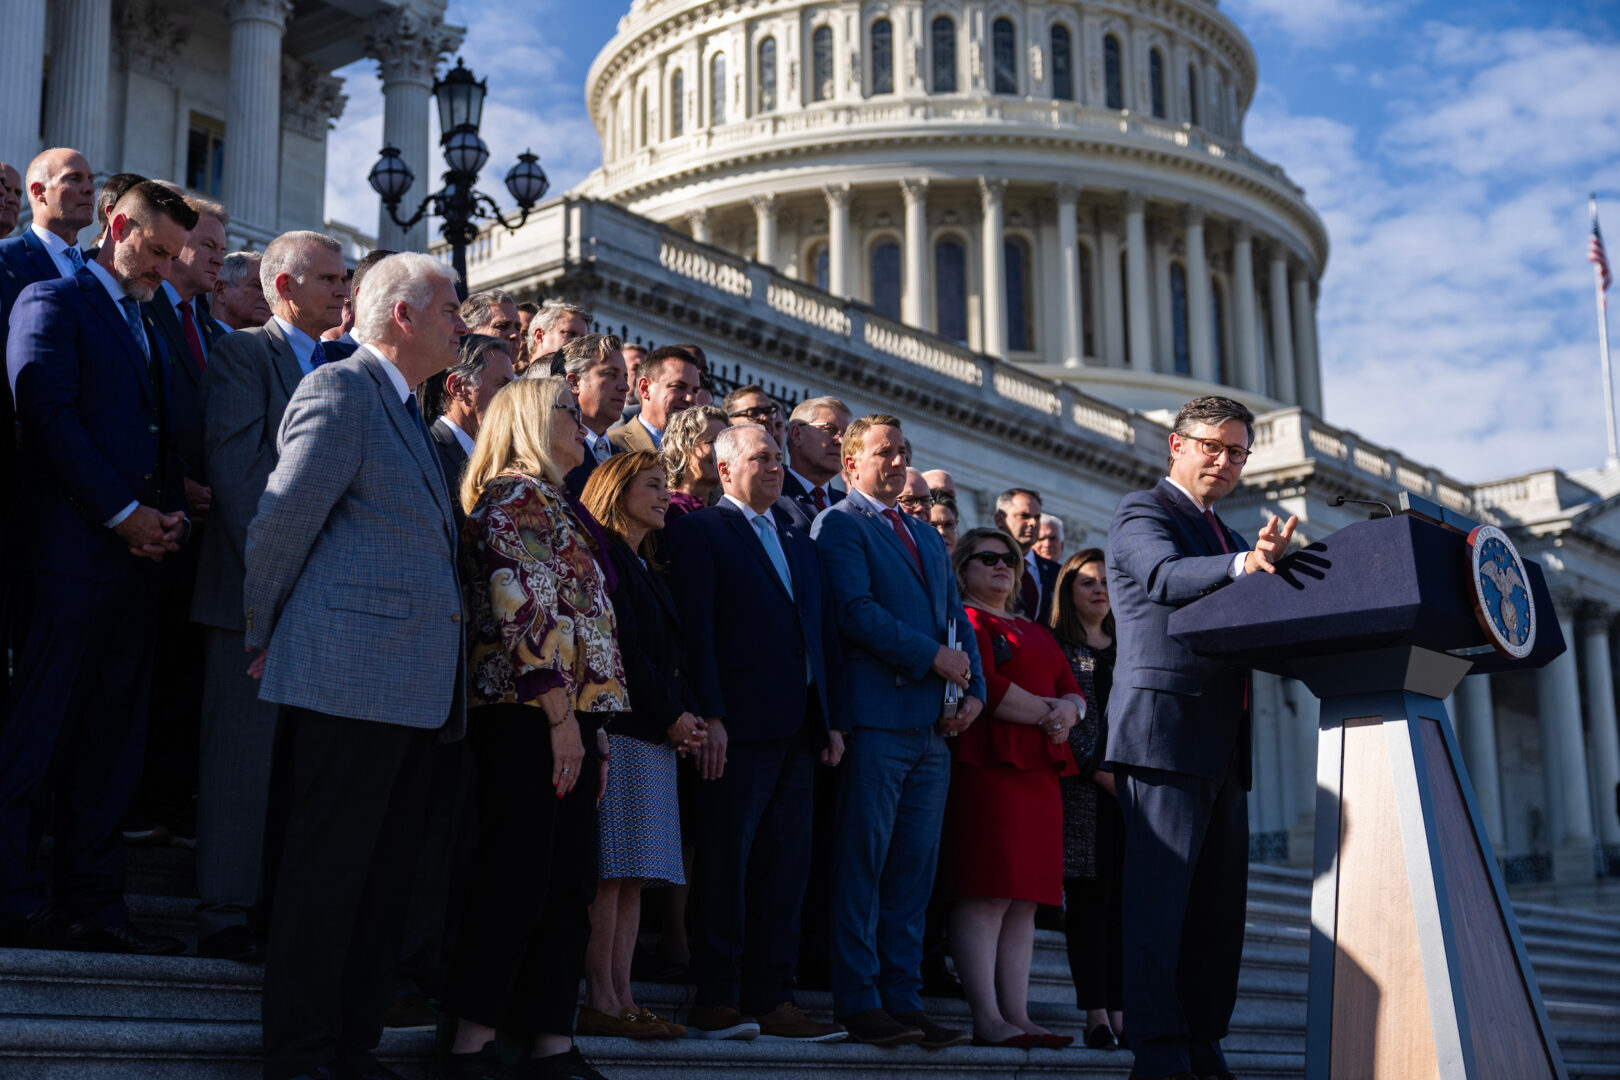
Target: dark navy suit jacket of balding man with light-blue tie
[{"x": 746, "y": 640}]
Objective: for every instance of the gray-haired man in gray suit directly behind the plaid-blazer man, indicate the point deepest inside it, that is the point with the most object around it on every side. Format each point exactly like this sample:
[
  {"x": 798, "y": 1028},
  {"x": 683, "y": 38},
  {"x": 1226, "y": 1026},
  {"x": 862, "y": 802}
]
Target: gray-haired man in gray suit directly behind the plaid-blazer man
[{"x": 250, "y": 378}]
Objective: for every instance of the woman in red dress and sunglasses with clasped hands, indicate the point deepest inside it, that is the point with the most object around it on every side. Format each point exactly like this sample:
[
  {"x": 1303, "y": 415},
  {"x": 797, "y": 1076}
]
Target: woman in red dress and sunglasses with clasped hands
[{"x": 1005, "y": 812}]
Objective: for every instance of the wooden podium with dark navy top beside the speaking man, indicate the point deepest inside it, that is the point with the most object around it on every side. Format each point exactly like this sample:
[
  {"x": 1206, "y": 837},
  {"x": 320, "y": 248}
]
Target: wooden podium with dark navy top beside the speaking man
[{"x": 1418, "y": 971}]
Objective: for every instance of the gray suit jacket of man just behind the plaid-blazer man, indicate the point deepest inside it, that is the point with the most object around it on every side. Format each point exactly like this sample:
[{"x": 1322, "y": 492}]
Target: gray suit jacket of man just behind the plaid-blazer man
[{"x": 250, "y": 378}]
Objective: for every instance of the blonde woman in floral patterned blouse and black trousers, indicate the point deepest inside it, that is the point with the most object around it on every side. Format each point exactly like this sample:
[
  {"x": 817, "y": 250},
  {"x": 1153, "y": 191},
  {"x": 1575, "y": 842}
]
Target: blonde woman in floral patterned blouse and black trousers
[{"x": 544, "y": 674}]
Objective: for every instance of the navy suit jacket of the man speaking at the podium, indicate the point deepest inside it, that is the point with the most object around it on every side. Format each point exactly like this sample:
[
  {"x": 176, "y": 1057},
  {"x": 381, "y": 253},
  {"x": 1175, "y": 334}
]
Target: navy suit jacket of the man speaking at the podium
[{"x": 1170, "y": 708}]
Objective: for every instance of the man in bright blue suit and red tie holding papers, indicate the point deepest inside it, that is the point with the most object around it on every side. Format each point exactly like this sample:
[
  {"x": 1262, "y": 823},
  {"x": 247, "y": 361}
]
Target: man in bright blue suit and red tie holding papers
[{"x": 897, "y": 608}]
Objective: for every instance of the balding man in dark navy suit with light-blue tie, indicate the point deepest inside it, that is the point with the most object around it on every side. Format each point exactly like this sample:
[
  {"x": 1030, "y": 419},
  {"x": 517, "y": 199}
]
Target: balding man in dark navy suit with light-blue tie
[{"x": 762, "y": 655}]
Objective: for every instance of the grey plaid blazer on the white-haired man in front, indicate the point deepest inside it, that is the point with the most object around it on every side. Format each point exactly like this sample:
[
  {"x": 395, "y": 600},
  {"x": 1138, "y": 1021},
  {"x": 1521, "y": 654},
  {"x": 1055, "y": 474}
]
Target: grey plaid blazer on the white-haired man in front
[{"x": 352, "y": 584}]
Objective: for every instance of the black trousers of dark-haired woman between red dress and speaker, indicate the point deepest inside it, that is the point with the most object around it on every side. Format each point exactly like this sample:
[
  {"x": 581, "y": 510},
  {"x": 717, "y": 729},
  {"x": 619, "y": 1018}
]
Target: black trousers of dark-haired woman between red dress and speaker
[{"x": 1093, "y": 916}]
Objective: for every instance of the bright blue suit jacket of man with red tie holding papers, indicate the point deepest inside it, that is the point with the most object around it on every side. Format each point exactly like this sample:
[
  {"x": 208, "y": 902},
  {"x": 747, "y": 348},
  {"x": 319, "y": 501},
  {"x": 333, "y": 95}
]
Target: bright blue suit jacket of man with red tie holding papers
[{"x": 892, "y": 621}]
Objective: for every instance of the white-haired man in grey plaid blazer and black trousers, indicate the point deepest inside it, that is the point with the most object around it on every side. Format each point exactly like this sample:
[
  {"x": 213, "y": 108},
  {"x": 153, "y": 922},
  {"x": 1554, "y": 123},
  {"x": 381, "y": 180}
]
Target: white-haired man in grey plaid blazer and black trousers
[{"x": 352, "y": 593}]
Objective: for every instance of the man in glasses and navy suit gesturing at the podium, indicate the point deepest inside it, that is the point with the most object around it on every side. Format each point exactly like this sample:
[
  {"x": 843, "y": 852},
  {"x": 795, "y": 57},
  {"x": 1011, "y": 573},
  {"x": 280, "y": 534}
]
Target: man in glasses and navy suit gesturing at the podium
[{"x": 1179, "y": 742}]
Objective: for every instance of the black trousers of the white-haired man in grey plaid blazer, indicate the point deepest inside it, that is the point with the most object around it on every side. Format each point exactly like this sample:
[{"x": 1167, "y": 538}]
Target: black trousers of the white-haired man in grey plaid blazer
[{"x": 356, "y": 794}]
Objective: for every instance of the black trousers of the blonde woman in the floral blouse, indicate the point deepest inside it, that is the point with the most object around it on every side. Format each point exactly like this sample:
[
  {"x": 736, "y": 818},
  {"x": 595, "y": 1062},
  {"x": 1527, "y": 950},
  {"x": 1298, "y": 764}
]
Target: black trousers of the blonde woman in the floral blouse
[{"x": 521, "y": 946}]
